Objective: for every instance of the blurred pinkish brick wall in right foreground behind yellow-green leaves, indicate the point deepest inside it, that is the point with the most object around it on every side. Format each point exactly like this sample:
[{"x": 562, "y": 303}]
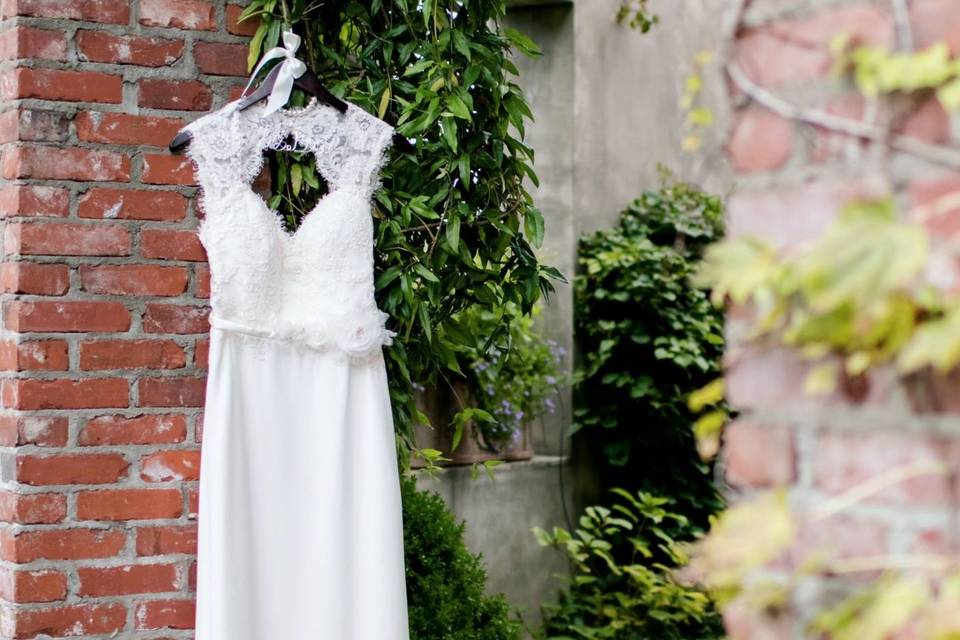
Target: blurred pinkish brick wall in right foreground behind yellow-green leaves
[{"x": 792, "y": 180}]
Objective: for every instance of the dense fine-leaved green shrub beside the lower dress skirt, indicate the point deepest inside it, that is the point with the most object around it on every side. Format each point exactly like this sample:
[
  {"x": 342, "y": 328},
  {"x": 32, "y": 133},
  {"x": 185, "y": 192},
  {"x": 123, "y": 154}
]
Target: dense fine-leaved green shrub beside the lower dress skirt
[{"x": 445, "y": 582}]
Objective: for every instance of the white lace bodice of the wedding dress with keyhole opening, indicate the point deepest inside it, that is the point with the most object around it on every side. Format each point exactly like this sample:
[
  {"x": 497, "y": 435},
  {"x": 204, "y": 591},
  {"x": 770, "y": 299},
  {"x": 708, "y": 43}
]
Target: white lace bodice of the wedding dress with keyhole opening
[{"x": 314, "y": 286}]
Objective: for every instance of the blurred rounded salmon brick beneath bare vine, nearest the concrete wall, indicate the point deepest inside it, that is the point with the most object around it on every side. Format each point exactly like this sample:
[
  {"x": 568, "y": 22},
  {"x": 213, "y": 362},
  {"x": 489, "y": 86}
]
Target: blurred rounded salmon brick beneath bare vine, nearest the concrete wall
[{"x": 760, "y": 141}]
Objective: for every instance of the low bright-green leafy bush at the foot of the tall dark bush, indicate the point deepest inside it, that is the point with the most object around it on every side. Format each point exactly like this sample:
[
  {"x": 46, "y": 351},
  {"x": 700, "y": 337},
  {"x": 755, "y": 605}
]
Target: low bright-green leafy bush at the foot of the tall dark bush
[{"x": 622, "y": 588}]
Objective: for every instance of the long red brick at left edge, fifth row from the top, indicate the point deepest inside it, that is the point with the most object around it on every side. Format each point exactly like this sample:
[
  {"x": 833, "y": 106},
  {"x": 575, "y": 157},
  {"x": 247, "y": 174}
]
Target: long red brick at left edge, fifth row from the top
[{"x": 51, "y": 163}]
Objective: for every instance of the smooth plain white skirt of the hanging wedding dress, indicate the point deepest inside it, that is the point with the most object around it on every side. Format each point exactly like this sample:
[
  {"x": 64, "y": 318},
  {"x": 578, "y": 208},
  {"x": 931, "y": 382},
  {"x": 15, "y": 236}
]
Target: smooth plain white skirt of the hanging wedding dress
[{"x": 299, "y": 526}]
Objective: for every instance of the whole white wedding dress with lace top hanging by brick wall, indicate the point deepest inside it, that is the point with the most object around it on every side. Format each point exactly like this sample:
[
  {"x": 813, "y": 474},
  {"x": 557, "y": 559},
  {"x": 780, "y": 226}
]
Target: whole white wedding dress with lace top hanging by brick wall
[{"x": 300, "y": 527}]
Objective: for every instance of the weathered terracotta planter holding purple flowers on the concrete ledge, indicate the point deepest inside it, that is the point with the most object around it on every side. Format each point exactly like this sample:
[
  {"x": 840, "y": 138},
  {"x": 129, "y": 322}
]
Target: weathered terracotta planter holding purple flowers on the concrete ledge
[{"x": 440, "y": 405}]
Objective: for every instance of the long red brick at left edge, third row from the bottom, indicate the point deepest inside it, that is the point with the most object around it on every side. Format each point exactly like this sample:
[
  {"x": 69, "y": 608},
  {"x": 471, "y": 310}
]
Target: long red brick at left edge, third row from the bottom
[{"x": 67, "y": 544}]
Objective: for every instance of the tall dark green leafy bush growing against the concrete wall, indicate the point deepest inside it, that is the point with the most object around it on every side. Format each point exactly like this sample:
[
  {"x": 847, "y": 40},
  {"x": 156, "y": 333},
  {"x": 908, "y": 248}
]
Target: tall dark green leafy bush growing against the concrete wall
[{"x": 649, "y": 338}]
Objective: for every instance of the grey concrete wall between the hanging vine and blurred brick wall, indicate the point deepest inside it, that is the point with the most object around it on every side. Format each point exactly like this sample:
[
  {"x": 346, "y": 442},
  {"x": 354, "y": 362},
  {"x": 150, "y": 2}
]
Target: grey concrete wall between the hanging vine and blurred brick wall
[{"x": 605, "y": 98}]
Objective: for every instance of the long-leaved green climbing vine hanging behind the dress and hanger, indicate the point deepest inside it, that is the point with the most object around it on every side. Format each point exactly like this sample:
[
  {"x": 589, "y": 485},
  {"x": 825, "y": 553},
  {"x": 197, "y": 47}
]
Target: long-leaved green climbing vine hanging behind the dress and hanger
[{"x": 454, "y": 223}]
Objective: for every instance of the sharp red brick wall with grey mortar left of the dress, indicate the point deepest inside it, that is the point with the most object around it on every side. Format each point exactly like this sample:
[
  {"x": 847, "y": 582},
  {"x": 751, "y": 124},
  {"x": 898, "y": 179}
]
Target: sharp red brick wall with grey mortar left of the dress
[{"x": 104, "y": 310}]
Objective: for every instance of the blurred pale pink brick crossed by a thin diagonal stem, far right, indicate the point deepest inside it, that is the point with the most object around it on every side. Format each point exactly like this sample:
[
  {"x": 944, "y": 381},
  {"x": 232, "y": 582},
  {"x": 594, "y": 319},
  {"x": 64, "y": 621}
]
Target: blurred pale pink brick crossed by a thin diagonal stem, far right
[{"x": 844, "y": 461}]
